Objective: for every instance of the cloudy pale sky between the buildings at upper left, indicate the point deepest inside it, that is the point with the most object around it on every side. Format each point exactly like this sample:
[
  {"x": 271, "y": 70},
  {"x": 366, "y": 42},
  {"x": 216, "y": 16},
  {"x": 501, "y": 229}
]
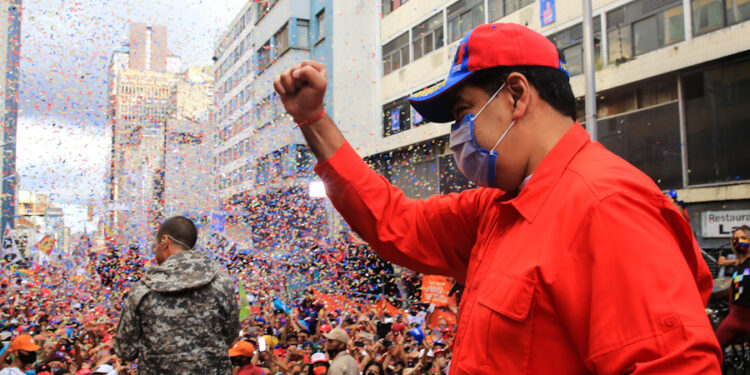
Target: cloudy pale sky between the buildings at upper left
[{"x": 62, "y": 138}]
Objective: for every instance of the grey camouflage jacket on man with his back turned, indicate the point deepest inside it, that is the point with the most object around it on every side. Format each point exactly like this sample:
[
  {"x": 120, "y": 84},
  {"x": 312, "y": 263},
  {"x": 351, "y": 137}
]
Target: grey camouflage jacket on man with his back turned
[{"x": 180, "y": 318}]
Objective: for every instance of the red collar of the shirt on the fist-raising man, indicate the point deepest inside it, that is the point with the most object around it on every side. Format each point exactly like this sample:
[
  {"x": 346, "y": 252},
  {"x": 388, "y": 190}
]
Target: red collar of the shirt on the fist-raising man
[{"x": 529, "y": 200}]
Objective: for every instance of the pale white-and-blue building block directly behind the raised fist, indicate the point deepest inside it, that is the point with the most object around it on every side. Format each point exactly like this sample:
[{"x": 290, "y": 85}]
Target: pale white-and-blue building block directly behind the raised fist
[{"x": 265, "y": 168}]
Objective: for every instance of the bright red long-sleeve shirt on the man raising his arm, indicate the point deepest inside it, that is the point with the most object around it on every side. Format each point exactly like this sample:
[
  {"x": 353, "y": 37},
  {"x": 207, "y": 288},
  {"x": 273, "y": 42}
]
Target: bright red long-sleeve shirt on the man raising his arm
[{"x": 589, "y": 269}]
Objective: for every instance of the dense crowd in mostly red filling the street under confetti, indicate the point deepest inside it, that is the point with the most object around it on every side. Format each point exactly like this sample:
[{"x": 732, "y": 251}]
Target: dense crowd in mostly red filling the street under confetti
[{"x": 71, "y": 313}]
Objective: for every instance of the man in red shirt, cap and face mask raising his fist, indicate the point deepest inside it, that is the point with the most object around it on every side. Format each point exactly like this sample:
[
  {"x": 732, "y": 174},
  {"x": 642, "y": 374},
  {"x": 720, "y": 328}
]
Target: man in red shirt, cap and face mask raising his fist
[{"x": 573, "y": 260}]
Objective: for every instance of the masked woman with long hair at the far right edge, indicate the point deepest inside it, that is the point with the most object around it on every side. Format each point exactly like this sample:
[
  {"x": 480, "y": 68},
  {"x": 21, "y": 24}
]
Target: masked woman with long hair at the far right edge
[{"x": 738, "y": 321}]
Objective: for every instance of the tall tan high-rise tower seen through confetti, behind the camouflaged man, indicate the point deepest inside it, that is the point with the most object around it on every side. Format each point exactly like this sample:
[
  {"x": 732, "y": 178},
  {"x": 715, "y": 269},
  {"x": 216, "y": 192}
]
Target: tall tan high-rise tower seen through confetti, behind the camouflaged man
[{"x": 160, "y": 133}]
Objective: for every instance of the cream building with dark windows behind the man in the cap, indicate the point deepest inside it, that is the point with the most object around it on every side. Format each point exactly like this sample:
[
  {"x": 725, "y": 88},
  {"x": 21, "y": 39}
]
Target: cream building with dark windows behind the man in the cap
[{"x": 672, "y": 81}]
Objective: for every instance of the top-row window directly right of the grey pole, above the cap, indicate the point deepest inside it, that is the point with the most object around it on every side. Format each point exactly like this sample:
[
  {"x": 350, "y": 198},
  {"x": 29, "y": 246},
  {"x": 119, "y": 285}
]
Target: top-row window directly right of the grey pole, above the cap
[{"x": 643, "y": 26}]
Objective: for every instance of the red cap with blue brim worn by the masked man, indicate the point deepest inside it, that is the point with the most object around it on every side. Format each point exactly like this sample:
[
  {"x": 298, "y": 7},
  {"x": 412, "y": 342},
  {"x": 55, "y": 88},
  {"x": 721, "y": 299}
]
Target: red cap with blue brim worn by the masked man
[{"x": 486, "y": 46}]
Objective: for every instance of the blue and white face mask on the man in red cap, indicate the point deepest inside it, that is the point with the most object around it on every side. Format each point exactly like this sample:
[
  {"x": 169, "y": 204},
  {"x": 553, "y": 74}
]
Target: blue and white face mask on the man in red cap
[{"x": 476, "y": 163}]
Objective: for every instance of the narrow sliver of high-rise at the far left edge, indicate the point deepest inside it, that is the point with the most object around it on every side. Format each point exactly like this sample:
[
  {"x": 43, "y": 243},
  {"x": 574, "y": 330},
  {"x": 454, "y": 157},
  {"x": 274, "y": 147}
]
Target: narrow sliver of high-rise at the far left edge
[{"x": 10, "y": 54}]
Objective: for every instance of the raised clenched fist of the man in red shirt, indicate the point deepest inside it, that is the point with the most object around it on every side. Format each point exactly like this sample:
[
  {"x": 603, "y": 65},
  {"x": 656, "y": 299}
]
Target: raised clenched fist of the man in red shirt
[{"x": 301, "y": 89}]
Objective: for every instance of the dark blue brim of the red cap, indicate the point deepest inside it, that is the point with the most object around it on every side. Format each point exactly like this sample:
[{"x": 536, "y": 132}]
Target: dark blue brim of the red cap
[{"x": 433, "y": 105}]
